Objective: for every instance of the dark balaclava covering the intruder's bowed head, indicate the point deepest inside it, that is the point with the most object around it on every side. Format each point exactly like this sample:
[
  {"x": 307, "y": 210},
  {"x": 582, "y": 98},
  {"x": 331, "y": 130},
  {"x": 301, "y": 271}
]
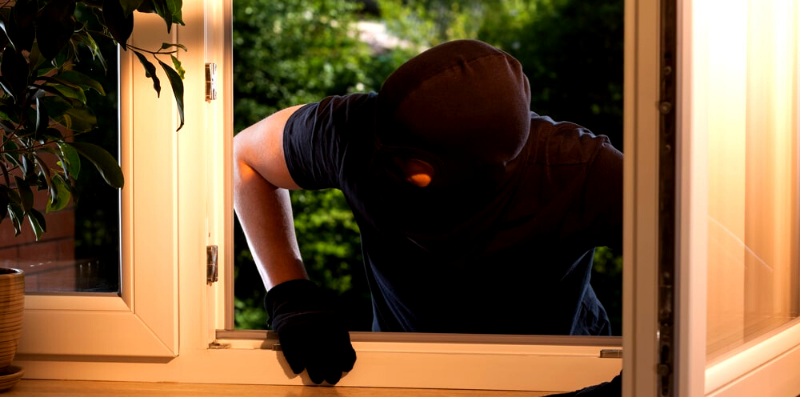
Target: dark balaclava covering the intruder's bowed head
[{"x": 464, "y": 107}]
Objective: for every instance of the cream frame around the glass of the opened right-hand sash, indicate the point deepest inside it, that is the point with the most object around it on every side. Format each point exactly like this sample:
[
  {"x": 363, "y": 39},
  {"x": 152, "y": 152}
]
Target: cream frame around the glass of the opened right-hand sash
[{"x": 767, "y": 365}]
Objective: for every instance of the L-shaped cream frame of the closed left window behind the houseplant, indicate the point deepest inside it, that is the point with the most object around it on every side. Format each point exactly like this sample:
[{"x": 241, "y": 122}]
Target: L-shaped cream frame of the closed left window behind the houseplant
[{"x": 143, "y": 320}]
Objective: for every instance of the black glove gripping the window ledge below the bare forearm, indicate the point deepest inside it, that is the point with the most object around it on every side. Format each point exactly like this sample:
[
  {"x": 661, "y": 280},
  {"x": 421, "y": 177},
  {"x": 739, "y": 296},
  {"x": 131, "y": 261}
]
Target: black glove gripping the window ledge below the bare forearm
[{"x": 311, "y": 335}]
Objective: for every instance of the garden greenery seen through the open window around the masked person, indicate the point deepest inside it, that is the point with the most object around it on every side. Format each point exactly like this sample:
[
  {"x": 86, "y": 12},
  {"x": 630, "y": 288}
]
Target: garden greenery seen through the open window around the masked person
[{"x": 292, "y": 52}]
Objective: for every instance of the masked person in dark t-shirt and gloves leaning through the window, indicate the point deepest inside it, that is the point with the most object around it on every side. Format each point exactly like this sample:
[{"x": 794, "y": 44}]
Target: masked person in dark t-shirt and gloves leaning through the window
[{"x": 476, "y": 214}]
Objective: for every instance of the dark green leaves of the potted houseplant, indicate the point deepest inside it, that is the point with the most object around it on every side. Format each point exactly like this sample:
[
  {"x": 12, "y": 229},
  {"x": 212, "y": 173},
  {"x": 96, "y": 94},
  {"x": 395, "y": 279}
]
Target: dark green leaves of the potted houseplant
[{"x": 44, "y": 94}]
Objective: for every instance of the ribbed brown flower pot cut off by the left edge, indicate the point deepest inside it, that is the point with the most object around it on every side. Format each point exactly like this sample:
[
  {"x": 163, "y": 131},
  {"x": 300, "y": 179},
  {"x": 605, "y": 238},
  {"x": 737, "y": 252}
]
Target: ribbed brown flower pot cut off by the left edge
[{"x": 12, "y": 299}]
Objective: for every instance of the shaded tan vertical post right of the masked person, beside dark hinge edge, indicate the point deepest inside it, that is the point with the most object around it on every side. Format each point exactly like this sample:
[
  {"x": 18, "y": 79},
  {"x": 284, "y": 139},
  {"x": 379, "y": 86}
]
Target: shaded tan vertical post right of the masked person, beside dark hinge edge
[{"x": 640, "y": 253}]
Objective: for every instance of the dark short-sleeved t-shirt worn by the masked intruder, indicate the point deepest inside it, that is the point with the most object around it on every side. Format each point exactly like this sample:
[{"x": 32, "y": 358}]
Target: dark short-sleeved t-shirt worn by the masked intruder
[{"x": 526, "y": 271}]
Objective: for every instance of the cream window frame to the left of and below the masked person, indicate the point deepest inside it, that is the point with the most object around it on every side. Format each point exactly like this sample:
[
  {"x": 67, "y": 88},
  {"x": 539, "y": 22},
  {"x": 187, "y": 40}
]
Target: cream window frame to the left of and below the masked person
[{"x": 180, "y": 205}]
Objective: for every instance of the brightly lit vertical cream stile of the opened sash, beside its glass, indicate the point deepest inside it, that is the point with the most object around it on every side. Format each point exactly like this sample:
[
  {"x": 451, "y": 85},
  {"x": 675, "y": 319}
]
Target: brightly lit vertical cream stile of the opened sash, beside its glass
[{"x": 692, "y": 151}]
